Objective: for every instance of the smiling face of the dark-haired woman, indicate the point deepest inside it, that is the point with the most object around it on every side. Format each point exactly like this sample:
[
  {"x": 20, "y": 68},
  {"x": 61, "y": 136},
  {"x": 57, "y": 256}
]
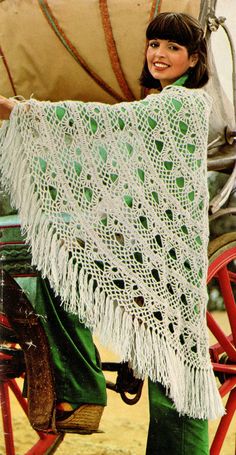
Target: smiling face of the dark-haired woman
[{"x": 167, "y": 60}]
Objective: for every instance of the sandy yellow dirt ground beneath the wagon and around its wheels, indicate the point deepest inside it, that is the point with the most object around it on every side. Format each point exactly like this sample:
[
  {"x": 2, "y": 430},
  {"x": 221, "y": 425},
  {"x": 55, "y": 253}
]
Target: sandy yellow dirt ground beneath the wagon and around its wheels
[{"x": 125, "y": 427}]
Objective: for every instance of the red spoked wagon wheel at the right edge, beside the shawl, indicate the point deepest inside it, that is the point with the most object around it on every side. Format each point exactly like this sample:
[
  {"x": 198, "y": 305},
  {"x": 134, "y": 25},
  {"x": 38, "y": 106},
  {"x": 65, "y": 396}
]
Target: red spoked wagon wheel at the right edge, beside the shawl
[{"x": 222, "y": 269}]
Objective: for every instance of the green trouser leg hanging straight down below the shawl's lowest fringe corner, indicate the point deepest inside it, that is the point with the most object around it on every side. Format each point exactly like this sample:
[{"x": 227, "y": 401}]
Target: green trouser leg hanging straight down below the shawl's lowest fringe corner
[{"x": 171, "y": 434}]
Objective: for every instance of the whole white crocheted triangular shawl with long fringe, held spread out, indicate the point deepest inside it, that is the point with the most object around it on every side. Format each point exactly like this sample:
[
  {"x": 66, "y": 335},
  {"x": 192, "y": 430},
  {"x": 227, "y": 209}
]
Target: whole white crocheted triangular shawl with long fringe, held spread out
[{"x": 114, "y": 202}]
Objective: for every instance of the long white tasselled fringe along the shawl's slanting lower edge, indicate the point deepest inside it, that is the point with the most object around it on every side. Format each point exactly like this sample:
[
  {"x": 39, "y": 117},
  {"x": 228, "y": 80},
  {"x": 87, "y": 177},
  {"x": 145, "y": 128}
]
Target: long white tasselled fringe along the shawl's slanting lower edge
[{"x": 195, "y": 392}]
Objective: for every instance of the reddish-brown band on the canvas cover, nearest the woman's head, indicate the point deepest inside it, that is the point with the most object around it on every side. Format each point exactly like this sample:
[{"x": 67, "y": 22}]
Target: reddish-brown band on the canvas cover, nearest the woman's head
[{"x": 112, "y": 51}]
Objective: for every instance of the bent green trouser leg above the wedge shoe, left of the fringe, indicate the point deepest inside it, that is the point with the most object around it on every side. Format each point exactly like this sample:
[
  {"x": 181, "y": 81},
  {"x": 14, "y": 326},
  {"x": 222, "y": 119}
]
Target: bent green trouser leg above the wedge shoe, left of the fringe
[{"x": 78, "y": 376}]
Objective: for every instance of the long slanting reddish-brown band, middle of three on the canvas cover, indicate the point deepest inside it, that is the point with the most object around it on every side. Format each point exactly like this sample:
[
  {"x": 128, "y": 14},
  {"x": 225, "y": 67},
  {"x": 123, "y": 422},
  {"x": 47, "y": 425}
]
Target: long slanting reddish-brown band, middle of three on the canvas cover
[{"x": 73, "y": 51}]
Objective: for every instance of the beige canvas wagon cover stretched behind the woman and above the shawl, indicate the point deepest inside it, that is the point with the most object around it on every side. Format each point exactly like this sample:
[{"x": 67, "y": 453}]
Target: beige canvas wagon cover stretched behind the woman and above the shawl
[{"x": 49, "y": 47}]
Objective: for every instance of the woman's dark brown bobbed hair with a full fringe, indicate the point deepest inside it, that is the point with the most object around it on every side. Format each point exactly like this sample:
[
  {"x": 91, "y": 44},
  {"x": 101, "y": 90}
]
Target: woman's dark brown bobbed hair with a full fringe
[{"x": 186, "y": 31}]
